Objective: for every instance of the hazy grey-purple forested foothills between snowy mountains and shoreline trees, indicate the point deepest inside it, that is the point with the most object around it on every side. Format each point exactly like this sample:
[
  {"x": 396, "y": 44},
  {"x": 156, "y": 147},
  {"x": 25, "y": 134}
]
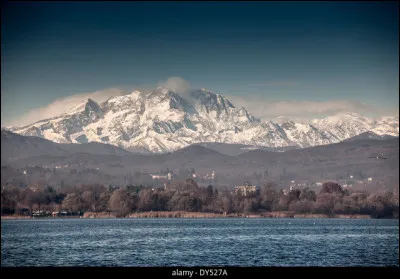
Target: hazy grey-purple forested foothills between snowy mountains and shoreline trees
[{"x": 52, "y": 163}]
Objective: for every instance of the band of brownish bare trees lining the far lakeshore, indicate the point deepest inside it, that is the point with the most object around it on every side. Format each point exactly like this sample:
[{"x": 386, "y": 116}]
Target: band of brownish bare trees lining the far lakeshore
[{"x": 188, "y": 196}]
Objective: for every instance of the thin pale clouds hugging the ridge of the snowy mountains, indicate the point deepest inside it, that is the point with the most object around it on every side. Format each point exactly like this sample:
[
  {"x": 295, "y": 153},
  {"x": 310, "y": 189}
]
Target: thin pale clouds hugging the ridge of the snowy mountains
[{"x": 259, "y": 106}]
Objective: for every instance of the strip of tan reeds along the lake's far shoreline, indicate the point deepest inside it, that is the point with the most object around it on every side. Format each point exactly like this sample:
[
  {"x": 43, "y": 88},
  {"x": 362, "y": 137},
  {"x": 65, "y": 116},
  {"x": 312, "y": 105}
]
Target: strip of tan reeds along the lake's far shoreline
[{"x": 192, "y": 215}]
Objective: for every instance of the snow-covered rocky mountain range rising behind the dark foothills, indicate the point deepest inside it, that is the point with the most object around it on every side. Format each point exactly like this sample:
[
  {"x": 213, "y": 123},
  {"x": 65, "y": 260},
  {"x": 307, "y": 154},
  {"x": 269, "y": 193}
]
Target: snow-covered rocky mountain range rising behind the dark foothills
[{"x": 165, "y": 121}]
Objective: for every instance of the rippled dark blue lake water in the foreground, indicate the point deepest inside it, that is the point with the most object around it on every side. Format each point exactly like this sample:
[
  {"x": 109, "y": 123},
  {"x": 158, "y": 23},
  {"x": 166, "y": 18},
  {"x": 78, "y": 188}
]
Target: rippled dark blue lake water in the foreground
[{"x": 199, "y": 242}]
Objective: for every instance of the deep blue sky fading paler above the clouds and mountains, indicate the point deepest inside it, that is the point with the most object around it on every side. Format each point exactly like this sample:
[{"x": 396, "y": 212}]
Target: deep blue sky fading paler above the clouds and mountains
[{"x": 306, "y": 51}]
